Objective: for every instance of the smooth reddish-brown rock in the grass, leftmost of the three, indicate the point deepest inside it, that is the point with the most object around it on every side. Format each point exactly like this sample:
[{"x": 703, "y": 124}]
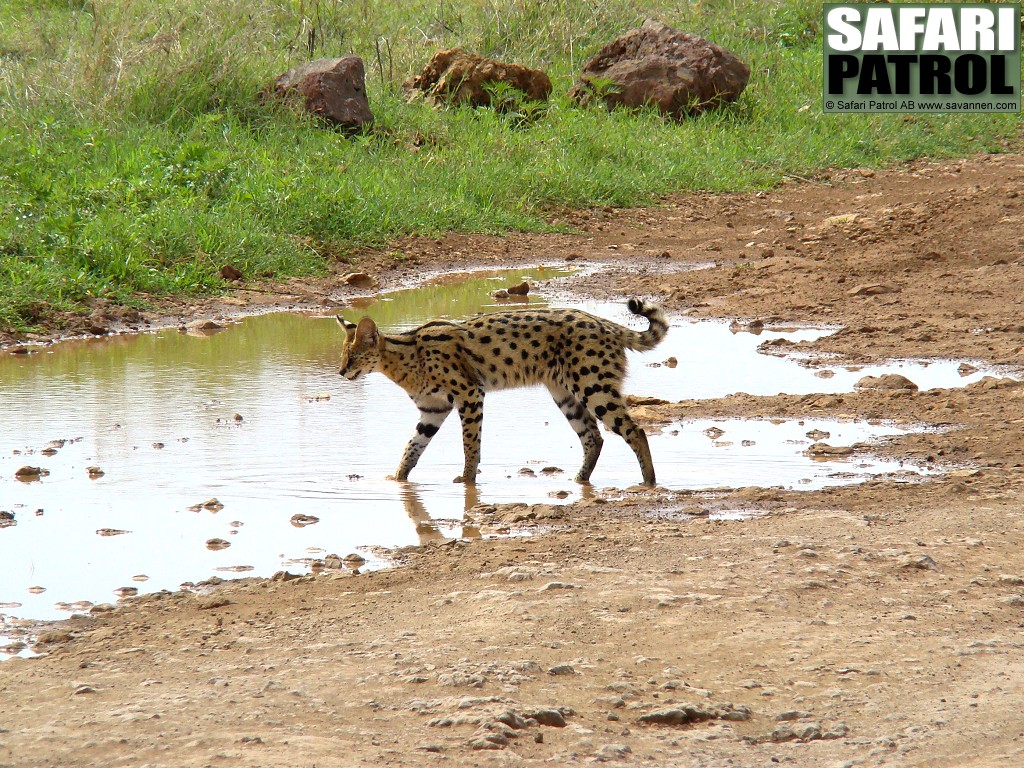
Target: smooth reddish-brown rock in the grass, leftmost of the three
[{"x": 331, "y": 89}]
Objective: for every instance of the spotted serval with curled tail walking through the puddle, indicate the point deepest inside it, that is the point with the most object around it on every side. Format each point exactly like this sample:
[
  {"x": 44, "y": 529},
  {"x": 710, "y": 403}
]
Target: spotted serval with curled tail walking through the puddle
[{"x": 445, "y": 365}]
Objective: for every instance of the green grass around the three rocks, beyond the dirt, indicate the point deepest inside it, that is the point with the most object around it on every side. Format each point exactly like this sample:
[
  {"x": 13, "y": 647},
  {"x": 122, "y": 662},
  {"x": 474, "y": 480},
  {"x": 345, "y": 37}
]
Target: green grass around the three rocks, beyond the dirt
[{"x": 136, "y": 159}]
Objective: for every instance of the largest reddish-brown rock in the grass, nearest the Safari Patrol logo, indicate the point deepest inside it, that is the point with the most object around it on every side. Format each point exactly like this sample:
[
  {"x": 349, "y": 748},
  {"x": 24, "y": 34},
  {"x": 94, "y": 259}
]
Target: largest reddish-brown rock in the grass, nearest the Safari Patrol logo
[{"x": 655, "y": 65}]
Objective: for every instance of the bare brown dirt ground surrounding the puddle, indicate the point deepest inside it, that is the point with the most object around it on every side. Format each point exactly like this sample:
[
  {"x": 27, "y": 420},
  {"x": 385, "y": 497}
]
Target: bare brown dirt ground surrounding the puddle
[{"x": 875, "y": 625}]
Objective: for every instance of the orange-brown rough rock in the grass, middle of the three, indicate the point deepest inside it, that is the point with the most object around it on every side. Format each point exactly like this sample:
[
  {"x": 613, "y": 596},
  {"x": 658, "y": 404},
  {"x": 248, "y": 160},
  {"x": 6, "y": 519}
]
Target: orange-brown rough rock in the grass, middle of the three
[{"x": 458, "y": 77}]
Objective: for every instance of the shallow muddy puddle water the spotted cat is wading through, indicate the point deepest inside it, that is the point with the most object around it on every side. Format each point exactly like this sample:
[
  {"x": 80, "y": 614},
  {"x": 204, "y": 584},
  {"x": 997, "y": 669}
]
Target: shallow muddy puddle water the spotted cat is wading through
[{"x": 258, "y": 418}]
